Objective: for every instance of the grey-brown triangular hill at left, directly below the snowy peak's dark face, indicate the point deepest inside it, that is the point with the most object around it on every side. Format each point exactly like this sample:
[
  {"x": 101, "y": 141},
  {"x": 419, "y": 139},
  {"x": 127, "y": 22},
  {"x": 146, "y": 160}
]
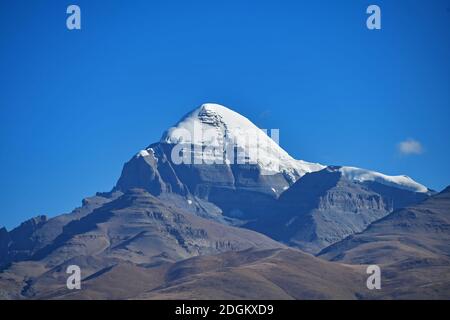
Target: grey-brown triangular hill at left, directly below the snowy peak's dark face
[{"x": 136, "y": 229}]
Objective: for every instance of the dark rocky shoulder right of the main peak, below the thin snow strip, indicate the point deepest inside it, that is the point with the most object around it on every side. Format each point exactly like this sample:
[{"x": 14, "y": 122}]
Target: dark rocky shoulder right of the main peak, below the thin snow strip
[{"x": 325, "y": 207}]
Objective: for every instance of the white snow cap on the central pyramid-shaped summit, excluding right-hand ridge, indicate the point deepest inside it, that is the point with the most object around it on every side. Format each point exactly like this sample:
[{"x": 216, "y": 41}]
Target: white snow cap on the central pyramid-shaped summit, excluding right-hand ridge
[{"x": 221, "y": 130}]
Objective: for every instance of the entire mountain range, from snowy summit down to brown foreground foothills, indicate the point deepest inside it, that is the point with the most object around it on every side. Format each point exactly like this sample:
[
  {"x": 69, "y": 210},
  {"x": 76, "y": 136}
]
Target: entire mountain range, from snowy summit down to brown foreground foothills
[{"x": 217, "y": 209}]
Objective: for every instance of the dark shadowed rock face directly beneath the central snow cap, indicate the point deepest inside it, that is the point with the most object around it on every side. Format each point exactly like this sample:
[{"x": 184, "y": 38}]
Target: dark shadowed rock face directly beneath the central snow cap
[{"x": 238, "y": 191}]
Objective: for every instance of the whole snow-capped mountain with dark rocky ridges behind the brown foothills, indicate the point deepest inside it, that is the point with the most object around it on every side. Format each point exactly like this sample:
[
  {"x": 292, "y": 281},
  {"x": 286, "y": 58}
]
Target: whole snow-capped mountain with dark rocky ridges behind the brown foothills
[{"x": 268, "y": 192}]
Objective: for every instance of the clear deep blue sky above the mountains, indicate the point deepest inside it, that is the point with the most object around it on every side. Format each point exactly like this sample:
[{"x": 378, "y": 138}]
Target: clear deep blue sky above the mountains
[{"x": 75, "y": 105}]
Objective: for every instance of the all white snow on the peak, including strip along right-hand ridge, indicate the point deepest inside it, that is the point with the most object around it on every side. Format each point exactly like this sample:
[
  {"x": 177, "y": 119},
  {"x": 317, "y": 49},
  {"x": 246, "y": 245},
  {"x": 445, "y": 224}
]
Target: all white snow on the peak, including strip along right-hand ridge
[{"x": 216, "y": 127}]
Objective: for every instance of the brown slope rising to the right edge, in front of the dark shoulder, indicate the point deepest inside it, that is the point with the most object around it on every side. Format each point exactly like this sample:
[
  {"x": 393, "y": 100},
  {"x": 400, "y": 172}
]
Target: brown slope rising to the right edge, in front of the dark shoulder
[{"x": 421, "y": 230}]
